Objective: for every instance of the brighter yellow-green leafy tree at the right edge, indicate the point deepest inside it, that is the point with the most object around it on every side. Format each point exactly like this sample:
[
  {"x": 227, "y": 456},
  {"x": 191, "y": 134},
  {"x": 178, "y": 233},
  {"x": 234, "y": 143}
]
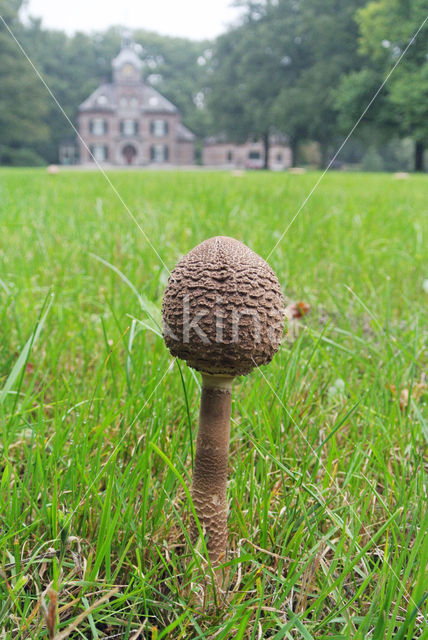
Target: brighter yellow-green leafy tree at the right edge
[{"x": 386, "y": 27}]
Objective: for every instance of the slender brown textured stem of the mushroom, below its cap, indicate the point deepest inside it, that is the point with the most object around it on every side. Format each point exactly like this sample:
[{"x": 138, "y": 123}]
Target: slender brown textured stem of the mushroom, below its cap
[{"x": 210, "y": 468}]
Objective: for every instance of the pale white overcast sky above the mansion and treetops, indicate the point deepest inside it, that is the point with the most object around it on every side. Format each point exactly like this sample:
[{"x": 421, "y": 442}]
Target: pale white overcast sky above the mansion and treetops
[{"x": 196, "y": 19}]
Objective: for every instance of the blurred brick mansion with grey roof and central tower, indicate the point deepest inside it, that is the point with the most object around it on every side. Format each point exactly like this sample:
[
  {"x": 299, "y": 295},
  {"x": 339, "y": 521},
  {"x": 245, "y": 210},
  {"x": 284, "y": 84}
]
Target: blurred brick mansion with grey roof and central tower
[{"x": 127, "y": 122}]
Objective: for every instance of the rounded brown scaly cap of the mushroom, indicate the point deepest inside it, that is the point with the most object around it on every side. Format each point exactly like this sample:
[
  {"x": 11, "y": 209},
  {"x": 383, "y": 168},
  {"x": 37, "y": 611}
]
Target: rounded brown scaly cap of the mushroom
[{"x": 223, "y": 310}]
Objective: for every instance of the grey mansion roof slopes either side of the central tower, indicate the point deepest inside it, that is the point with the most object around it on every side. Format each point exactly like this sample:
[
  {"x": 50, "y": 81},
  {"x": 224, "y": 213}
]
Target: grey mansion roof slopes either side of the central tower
[{"x": 105, "y": 99}]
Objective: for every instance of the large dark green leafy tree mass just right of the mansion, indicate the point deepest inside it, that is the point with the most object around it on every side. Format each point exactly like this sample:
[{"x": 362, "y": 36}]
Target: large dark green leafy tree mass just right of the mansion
[{"x": 279, "y": 70}]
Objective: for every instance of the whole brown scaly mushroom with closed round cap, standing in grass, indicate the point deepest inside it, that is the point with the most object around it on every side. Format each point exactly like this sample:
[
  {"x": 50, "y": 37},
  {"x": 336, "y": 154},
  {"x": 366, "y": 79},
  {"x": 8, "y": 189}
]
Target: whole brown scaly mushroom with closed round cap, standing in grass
[{"x": 223, "y": 313}]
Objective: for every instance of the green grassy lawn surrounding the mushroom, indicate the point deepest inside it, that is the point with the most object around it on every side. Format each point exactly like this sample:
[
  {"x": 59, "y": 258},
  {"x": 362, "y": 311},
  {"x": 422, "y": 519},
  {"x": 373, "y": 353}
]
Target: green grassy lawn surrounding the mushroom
[{"x": 327, "y": 488}]
